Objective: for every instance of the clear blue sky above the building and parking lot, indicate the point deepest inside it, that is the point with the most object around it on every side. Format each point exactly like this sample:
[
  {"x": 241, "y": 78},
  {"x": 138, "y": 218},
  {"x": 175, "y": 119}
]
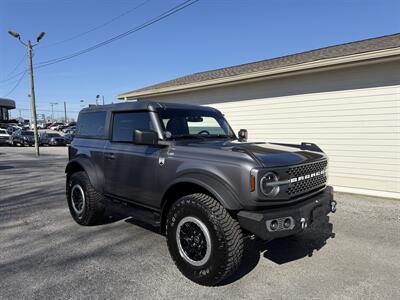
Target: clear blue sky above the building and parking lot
[{"x": 207, "y": 35}]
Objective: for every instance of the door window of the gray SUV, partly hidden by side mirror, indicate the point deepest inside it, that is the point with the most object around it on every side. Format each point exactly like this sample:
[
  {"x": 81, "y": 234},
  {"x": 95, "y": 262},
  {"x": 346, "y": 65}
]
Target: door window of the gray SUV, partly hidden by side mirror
[{"x": 125, "y": 123}]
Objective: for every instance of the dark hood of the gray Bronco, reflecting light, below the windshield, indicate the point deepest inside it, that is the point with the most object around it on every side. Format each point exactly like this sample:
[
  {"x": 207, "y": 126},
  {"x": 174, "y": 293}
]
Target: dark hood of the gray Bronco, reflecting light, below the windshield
[{"x": 268, "y": 155}]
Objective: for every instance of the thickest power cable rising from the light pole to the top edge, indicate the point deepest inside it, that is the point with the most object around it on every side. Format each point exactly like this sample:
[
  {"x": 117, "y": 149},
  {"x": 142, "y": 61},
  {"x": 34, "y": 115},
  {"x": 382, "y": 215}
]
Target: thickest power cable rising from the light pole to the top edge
[{"x": 160, "y": 17}]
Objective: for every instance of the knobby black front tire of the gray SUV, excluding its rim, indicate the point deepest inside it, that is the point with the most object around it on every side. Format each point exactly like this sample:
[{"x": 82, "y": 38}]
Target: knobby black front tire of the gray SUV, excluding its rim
[{"x": 225, "y": 233}]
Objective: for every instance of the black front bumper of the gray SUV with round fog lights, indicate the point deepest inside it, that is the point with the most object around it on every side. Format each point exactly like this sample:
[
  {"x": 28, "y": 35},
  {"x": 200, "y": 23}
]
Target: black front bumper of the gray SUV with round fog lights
[{"x": 269, "y": 224}]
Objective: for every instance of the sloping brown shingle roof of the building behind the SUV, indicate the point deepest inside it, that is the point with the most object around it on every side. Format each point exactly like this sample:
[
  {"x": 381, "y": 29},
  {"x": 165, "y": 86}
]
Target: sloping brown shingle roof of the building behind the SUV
[{"x": 368, "y": 45}]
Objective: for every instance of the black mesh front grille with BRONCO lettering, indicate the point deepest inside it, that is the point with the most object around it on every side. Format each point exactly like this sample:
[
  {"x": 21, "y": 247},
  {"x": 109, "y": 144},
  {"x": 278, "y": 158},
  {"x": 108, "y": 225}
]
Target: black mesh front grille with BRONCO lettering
[{"x": 307, "y": 177}]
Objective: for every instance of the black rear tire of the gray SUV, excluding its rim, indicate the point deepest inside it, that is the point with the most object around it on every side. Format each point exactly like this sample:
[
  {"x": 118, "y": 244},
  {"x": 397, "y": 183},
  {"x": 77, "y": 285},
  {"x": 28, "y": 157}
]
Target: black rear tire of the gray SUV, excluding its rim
[{"x": 93, "y": 209}]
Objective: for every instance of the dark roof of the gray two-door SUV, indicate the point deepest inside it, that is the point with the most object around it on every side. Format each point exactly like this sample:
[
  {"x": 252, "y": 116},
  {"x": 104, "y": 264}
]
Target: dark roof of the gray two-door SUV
[{"x": 145, "y": 105}]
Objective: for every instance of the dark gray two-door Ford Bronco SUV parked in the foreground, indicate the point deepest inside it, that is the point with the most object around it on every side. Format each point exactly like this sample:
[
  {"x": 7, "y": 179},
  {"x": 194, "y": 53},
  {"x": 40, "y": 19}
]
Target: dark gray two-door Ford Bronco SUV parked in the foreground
[{"x": 182, "y": 169}]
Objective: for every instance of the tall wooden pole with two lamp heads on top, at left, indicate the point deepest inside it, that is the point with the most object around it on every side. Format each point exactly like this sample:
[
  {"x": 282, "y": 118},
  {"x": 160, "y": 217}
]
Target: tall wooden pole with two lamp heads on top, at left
[{"x": 33, "y": 100}]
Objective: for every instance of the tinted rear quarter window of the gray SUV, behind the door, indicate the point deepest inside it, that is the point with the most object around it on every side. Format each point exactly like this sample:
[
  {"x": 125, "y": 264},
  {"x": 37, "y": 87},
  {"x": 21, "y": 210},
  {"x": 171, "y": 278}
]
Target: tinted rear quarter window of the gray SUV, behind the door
[{"x": 91, "y": 124}]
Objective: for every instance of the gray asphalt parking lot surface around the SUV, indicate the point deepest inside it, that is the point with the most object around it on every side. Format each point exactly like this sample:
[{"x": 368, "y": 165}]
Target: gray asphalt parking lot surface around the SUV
[{"x": 44, "y": 254}]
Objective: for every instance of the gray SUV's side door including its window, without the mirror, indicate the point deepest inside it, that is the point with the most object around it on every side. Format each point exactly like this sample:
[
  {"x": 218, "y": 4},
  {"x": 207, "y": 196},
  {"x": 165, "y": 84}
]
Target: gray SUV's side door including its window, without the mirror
[{"x": 129, "y": 168}]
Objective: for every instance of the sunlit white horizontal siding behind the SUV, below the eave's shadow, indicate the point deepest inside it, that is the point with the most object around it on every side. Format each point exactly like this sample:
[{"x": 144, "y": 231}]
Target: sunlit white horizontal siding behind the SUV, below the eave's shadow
[{"x": 358, "y": 129}]
